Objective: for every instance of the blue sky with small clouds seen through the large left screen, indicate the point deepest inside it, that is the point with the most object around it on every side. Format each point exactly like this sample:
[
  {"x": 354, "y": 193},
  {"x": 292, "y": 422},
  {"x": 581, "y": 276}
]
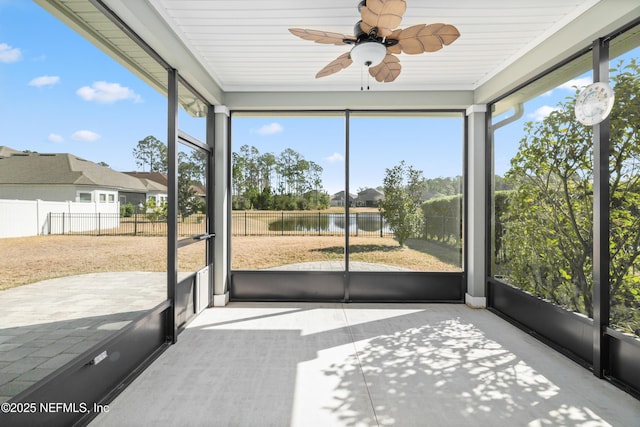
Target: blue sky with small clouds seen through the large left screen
[{"x": 61, "y": 94}]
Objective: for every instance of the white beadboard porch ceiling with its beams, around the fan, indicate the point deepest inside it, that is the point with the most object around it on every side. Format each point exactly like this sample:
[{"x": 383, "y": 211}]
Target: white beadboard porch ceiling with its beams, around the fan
[{"x": 240, "y": 52}]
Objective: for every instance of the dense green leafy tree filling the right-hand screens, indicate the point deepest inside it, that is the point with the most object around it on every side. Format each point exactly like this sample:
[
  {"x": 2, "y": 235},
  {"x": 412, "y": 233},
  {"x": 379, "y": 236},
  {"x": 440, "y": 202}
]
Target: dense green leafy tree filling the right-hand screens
[{"x": 548, "y": 218}]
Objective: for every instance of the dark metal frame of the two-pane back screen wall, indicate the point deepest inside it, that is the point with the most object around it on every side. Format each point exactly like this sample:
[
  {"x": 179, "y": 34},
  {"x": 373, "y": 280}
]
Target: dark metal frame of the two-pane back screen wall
[{"x": 346, "y": 285}]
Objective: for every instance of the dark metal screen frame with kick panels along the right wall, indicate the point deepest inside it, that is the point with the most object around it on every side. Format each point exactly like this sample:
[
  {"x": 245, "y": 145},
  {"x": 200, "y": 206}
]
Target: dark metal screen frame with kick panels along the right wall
[{"x": 610, "y": 355}]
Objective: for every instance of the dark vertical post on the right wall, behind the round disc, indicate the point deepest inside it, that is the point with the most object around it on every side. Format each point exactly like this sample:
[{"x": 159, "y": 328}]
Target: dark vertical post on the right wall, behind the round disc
[{"x": 601, "y": 216}]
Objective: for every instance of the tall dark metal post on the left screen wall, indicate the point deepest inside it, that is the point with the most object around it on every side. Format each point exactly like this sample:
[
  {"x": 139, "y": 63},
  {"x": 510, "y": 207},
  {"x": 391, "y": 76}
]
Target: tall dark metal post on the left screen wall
[{"x": 172, "y": 209}]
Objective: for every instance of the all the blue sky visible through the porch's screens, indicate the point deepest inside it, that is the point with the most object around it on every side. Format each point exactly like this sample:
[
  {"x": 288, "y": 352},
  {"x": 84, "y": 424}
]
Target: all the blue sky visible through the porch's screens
[{"x": 61, "y": 94}]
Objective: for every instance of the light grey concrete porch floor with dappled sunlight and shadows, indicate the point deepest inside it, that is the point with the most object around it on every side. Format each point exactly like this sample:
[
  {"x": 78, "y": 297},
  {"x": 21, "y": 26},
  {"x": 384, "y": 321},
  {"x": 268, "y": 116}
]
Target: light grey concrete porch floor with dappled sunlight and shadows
[{"x": 364, "y": 365}]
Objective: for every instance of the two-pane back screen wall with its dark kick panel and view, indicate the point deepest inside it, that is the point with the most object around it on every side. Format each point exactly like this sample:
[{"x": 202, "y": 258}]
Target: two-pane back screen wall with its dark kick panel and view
[{"x": 287, "y": 218}]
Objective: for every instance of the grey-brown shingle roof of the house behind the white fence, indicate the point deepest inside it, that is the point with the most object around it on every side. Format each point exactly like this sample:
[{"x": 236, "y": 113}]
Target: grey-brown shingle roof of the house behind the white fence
[{"x": 37, "y": 168}]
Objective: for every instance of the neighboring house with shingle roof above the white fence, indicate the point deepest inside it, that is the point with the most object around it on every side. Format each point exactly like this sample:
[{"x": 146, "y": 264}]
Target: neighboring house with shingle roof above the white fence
[{"x": 65, "y": 177}]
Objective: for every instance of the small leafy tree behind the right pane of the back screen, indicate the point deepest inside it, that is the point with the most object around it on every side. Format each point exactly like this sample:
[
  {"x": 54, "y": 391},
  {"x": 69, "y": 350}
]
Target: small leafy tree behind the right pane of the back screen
[{"x": 403, "y": 187}]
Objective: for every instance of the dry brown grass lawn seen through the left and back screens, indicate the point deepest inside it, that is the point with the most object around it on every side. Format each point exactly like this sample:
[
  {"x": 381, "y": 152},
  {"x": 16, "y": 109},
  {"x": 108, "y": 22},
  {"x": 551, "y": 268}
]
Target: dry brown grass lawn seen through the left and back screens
[{"x": 32, "y": 259}]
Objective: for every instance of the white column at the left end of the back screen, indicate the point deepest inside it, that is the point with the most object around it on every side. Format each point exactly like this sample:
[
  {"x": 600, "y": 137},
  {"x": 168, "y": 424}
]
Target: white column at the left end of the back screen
[{"x": 221, "y": 207}]
